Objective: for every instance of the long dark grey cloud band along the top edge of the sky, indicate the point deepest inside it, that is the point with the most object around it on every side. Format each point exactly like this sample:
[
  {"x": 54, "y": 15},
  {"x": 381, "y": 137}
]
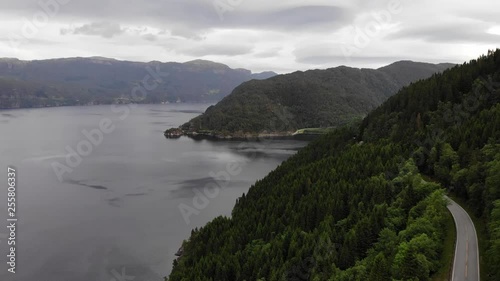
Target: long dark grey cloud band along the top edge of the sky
[{"x": 196, "y": 15}]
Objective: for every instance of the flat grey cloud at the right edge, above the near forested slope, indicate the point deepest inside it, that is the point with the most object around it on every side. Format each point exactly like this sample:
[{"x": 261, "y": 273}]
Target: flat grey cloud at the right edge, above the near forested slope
[{"x": 462, "y": 33}]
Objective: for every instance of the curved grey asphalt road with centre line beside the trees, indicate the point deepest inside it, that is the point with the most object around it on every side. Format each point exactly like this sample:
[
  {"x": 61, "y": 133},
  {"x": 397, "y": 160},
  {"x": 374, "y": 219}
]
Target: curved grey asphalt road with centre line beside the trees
[{"x": 466, "y": 263}]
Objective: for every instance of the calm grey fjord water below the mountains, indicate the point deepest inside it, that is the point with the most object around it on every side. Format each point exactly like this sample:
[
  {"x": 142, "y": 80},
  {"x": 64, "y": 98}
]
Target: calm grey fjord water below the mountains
[{"x": 116, "y": 215}]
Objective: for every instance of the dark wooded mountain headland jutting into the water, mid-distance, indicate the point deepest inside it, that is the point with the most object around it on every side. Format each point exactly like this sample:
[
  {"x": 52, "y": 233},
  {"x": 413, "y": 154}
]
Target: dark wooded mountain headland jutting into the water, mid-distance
[{"x": 311, "y": 99}]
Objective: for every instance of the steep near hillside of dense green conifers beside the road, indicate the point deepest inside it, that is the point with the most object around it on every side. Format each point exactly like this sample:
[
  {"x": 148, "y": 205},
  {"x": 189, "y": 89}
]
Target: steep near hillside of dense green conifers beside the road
[{"x": 353, "y": 204}]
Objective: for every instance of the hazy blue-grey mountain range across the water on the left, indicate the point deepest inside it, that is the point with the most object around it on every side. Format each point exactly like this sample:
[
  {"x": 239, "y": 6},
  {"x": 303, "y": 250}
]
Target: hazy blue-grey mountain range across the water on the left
[{"x": 97, "y": 80}]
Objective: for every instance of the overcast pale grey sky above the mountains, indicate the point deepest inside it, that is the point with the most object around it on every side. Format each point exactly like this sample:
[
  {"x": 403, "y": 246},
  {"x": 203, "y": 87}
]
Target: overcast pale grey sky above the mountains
[{"x": 280, "y": 35}]
